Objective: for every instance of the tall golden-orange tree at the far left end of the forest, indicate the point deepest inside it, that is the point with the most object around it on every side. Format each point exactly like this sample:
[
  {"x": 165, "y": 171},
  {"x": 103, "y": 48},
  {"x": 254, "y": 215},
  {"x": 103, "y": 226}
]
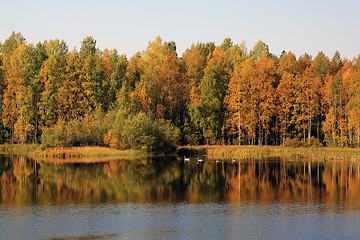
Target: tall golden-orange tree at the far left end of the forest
[{"x": 19, "y": 113}]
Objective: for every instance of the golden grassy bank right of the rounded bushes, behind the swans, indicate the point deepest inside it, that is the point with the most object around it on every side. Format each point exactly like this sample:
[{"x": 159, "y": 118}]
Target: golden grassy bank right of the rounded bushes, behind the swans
[{"x": 257, "y": 152}]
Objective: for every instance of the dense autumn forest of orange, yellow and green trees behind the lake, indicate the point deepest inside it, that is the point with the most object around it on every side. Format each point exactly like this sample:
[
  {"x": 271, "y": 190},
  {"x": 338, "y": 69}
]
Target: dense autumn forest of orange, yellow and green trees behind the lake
[{"x": 157, "y": 100}]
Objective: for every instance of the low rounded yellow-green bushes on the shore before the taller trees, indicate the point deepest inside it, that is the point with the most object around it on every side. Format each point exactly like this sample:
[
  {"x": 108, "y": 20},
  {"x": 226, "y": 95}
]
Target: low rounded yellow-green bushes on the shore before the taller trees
[{"x": 120, "y": 130}]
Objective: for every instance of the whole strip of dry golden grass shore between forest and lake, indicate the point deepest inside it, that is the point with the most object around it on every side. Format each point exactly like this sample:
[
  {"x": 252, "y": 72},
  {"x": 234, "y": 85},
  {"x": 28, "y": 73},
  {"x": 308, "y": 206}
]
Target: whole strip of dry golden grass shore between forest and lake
[{"x": 210, "y": 151}]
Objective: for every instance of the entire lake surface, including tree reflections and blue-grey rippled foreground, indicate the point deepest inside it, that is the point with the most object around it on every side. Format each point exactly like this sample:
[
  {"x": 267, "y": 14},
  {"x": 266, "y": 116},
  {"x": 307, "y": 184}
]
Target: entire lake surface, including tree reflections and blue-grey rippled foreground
[{"x": 165, "y": 198}]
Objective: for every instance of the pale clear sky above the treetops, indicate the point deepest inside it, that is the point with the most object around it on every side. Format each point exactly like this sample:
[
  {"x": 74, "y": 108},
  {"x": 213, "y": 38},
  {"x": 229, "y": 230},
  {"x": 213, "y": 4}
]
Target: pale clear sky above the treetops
[{"x": 304, "y": 26}]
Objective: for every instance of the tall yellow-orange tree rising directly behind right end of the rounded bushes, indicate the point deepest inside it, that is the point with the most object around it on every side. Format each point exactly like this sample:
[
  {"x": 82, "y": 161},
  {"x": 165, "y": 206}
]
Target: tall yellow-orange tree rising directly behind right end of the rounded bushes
[{"x": 159, "y": 68}]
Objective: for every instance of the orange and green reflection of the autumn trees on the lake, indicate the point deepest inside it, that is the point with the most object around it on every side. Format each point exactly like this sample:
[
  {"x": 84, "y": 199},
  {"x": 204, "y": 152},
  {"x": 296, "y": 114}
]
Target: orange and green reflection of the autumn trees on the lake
[{"x": 24, "y": 181}]
